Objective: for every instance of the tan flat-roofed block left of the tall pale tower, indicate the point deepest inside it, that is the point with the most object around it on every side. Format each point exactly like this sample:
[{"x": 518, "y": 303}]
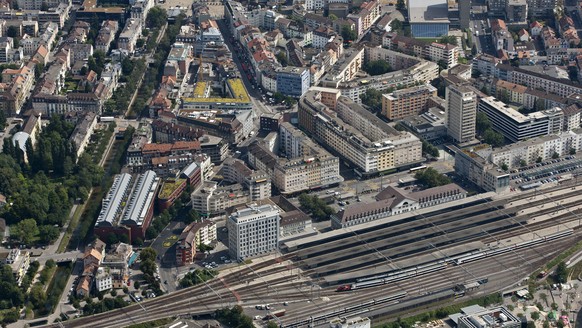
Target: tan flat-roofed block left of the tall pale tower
[{"x": 407, "y": 102}]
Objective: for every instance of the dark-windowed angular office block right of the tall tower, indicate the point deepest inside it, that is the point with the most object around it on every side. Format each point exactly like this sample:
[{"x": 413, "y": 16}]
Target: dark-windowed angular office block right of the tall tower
[{"x": 516, "y": 126}]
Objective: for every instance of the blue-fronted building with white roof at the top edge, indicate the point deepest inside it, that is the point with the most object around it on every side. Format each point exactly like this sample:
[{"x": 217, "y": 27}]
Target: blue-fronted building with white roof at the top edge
[{"x": 428, "y": 18}]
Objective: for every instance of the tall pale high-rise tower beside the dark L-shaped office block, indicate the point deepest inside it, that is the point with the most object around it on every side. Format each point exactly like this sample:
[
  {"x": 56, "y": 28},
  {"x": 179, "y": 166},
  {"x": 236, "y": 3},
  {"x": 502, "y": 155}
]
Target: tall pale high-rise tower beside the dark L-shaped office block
[{"x": 461, "y": 113}]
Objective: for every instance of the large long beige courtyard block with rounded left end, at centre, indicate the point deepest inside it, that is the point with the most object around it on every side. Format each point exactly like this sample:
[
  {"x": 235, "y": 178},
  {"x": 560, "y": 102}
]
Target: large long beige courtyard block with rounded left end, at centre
[{"x": 356, "y": 134}]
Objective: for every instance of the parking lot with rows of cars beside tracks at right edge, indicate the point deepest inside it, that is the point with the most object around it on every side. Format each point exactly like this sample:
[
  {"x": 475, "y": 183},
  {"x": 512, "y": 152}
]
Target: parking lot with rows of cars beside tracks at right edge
[{"x": 550, "y": 171}]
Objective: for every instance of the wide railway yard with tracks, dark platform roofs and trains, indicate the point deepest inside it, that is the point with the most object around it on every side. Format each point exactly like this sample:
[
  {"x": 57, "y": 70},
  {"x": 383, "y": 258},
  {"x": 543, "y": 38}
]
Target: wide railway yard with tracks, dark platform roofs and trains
[{"x": 385, "y": 267}]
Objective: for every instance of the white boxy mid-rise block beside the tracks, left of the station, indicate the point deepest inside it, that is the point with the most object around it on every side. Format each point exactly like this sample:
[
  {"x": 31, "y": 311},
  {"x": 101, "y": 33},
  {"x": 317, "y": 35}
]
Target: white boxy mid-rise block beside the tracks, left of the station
[{"x": 253, "y": 230}]
